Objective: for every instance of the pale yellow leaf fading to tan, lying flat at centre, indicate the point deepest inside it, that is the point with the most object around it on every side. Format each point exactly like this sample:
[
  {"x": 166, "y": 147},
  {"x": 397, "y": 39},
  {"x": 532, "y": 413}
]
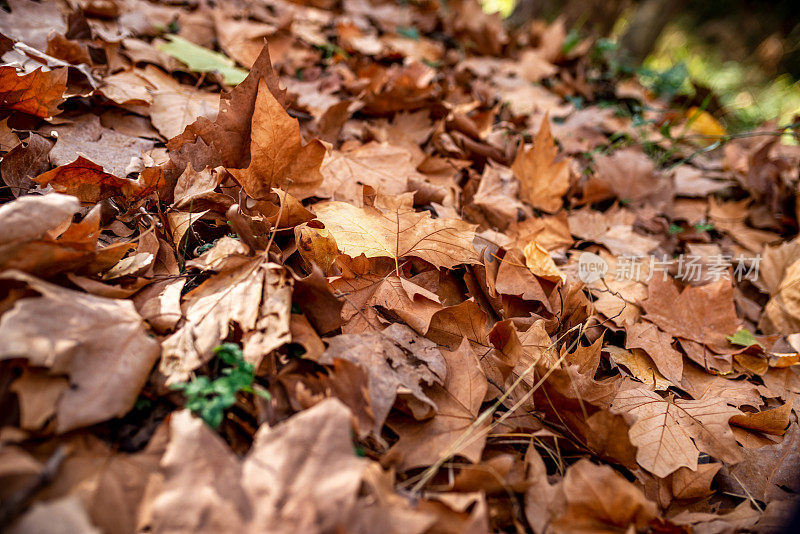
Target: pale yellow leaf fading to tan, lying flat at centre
[{"x": 391, "y": 228}]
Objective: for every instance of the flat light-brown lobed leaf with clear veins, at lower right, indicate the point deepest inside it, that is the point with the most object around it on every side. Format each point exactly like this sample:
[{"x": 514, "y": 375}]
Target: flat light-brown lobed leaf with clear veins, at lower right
[{"x": 670, "y": 434}]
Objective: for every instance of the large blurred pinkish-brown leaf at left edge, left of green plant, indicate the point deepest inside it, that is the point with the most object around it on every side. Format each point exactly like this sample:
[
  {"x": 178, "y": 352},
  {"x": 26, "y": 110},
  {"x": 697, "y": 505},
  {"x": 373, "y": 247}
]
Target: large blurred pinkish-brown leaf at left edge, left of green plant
[{"x": 101, "y": 344}]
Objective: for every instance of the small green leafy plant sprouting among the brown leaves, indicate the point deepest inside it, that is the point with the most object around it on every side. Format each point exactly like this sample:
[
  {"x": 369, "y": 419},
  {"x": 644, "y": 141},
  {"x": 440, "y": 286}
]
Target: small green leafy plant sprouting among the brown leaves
[{"x": 210, "y": 398}]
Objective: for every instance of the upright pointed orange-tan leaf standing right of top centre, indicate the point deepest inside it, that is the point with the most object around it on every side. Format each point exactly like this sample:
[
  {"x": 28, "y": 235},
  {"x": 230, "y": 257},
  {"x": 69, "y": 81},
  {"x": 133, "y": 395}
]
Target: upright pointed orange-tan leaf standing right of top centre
[{"x": 543, "y": 180}]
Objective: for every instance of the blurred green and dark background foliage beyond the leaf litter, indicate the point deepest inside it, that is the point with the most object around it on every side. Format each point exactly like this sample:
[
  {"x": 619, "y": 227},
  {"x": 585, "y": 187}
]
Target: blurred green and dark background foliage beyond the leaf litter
[{"x": 746, "y": 52}]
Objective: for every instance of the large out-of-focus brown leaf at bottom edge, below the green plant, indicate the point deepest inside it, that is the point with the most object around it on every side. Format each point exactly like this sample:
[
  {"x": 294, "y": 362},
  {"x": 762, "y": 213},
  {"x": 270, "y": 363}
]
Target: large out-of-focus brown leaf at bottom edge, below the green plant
[{"x": 277, "y": 484}]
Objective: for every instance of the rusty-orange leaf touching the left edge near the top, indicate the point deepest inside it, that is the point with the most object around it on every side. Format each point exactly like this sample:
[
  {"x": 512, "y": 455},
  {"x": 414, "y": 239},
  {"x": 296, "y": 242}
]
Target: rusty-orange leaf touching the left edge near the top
[{"x": 37, "y": 93}]
